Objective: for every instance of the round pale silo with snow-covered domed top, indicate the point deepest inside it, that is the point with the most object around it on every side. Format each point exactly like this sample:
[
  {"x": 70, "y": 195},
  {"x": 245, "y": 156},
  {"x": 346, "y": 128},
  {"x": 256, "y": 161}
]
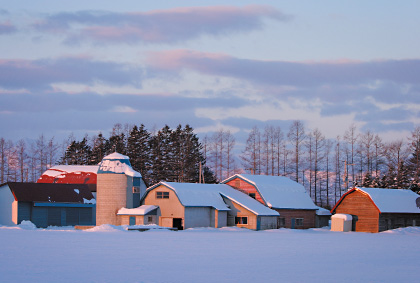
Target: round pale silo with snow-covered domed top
[{"x": 118, "y": 186}]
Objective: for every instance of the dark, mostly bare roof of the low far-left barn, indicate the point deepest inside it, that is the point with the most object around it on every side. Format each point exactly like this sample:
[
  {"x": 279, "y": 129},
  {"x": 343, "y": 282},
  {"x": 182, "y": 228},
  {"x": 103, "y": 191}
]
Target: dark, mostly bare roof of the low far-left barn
[{"x": 44, "y": 192}]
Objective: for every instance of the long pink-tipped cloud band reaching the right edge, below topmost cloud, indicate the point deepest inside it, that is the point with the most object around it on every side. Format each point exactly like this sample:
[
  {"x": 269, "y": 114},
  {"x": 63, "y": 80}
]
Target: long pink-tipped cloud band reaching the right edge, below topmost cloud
[{"x": 280, "y": 73}]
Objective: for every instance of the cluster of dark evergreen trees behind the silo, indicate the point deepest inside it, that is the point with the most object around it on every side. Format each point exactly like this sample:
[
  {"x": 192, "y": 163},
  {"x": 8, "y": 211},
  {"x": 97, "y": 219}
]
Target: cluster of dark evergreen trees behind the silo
[{"x": 167, "y": 155}]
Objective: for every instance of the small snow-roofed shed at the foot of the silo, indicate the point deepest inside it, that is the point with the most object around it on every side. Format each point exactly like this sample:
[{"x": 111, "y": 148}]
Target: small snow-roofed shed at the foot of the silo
[{"x": 142, "y": 215}]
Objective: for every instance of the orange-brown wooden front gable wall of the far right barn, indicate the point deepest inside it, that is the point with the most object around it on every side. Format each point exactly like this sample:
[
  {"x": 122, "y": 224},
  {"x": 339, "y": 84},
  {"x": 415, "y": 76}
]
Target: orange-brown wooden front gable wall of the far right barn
[{"x": 360, "y": 205}]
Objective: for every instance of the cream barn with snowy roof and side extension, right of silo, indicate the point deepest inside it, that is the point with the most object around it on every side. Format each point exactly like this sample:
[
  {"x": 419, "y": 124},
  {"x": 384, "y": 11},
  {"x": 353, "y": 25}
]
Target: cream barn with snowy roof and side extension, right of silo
[{"x": 188, "y": 205}]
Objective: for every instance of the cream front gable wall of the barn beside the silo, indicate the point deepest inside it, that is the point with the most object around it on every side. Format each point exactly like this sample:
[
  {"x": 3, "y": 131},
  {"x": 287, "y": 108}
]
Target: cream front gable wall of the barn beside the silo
[{"x": 169, "y": 208}]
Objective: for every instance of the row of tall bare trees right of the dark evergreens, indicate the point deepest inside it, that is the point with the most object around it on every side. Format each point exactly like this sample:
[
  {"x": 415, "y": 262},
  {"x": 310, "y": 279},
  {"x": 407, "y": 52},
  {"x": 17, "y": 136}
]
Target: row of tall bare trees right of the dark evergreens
[{"x": 326, "y": 167}]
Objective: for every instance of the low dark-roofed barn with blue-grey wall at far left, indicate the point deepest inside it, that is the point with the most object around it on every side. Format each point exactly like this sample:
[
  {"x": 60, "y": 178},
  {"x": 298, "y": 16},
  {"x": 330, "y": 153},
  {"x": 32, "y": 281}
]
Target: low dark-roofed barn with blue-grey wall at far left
[{"x": 47, "y": 204}]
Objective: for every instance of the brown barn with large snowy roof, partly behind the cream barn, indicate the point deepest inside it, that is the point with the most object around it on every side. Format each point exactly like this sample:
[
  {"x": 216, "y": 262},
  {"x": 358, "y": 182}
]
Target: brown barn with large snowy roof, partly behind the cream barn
[{"x": 289, "y": 198}]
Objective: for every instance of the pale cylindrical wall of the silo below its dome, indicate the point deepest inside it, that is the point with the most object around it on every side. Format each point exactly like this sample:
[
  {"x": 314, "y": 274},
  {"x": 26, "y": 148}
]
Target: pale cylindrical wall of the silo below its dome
[{"x": 111, "y": 196}]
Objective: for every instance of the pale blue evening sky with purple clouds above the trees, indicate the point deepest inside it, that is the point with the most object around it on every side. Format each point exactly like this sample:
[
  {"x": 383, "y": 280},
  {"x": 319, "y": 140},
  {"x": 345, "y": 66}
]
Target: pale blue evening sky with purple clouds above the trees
[{"x": 80, "y": 67}]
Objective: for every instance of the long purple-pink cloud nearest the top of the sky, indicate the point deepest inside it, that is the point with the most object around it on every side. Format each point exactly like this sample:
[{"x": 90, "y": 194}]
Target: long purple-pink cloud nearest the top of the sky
[{"x": 158, "y": 26}]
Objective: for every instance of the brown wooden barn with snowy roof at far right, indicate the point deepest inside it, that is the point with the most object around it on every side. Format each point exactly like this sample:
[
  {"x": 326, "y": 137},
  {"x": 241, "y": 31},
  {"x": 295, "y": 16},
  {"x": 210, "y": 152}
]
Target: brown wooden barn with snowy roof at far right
[{"x": 375, "y": 210}]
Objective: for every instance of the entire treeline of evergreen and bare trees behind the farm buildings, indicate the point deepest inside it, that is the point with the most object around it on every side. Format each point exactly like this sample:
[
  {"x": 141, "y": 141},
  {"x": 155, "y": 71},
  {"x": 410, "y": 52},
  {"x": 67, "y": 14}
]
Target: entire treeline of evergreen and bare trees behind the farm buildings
[{"x": 326, "y": 167}]
